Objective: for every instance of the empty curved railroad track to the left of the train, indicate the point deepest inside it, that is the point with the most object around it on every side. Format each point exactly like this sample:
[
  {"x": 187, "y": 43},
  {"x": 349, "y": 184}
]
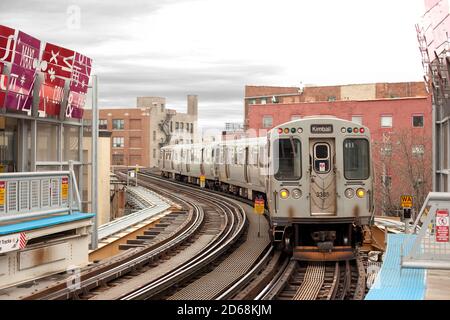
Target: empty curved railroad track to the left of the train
[{"x": 217, "y": 218}]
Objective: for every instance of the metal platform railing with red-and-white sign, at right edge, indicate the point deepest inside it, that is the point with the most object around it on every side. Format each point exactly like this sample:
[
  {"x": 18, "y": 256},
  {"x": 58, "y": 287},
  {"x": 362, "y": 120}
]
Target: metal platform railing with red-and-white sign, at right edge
[{"x": 429, "y": 247}]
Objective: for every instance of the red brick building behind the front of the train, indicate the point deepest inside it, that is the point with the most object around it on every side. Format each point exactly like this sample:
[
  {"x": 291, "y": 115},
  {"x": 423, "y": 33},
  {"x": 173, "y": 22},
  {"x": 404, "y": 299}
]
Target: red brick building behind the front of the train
[{"x": 399, "y": 116}]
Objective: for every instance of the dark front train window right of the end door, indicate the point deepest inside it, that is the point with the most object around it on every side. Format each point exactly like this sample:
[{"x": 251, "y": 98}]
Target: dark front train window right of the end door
[{"x": 356, "y": 159}]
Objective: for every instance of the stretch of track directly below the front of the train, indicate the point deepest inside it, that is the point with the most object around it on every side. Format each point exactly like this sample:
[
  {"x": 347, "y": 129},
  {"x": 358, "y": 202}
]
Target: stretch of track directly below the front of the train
[{"x": 338, "y": 280}]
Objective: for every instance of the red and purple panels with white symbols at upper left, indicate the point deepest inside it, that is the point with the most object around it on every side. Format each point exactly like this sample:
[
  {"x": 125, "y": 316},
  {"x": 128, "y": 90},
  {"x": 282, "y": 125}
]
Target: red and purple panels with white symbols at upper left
[{"x": 62, "y": 74}]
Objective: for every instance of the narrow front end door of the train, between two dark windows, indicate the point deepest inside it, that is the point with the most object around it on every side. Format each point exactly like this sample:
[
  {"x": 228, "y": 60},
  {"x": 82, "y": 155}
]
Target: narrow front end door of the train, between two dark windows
[{"x": 323, "y": 177}]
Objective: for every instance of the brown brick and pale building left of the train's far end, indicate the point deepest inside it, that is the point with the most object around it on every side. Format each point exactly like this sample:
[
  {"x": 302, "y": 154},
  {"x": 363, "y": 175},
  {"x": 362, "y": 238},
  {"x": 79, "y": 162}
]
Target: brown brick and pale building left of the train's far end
[{"x": 139, "y": 133}]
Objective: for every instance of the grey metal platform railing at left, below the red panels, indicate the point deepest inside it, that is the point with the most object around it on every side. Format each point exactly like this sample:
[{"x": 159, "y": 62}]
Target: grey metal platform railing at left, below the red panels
[{"x": 32, "y": 194}]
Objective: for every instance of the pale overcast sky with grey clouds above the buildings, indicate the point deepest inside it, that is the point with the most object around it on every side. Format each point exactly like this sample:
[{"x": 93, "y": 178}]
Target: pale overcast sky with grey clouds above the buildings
[{"x": 213, "y": 48}]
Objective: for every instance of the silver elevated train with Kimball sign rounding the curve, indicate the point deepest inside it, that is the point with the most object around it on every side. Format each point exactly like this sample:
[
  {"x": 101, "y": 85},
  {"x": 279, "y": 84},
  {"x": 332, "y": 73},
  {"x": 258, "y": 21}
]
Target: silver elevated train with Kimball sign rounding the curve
[{"x": 314, "y": 174}]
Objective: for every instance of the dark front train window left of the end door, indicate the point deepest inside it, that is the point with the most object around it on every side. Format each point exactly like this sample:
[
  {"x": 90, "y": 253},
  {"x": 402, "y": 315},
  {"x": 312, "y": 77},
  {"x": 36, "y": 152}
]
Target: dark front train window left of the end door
[{"x": 288, "y": 154}]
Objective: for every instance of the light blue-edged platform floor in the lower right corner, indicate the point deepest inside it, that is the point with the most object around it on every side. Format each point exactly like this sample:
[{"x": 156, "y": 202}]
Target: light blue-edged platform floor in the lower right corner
[{"x": 396, "y": 283}]
